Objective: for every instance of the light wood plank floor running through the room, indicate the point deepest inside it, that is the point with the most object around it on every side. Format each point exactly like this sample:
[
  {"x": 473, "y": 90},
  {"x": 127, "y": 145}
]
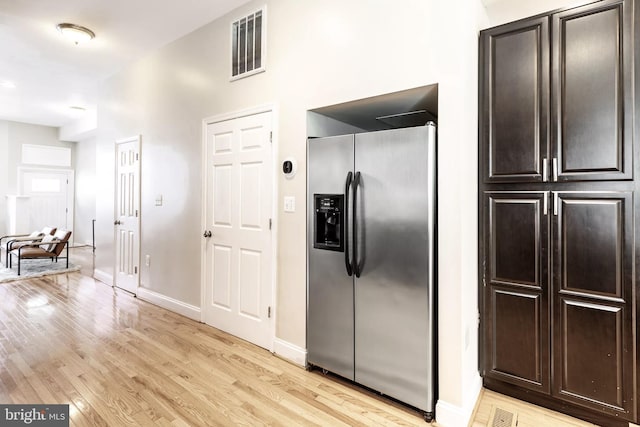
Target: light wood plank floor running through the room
[{"x": 119, "y": 361}]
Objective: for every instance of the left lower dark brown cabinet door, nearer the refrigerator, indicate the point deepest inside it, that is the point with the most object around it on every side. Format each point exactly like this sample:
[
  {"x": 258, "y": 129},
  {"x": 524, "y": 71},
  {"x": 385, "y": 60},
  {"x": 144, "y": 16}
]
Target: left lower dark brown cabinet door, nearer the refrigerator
[{"x": 515, "y": 280}]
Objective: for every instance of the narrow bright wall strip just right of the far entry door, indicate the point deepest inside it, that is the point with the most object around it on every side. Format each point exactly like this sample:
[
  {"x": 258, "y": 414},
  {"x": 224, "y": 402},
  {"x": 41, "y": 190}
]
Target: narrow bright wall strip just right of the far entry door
[{"x": 85, "y": 206}]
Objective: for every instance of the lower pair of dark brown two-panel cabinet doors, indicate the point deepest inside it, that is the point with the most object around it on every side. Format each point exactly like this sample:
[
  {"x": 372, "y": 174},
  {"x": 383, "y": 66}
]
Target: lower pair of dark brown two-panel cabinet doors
[{"x": 558, "y": 292}]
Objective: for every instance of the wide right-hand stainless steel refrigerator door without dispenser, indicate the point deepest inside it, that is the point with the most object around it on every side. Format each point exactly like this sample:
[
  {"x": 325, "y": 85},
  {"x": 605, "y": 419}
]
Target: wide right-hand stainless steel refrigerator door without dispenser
[{"x": 393, "y": 296}]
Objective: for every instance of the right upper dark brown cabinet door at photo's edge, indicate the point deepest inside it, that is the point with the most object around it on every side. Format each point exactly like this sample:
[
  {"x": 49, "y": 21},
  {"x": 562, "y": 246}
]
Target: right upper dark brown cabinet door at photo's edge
[{"x": 591, "y": 93}]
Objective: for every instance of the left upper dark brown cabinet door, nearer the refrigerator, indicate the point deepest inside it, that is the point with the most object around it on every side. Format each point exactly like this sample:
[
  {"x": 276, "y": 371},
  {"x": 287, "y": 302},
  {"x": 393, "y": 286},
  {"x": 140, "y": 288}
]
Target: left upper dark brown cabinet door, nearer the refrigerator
[{"x": 514, "y": 101}]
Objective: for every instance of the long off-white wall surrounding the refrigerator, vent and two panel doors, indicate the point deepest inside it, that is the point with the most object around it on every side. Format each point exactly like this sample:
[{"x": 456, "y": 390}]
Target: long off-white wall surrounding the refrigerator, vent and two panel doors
[{"x": 319, "y": 53}]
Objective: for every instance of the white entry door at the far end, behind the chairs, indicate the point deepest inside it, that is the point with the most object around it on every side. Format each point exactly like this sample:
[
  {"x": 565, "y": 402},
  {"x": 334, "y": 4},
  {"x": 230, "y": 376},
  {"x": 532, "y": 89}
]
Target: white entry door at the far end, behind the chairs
[{"x": 51, "y": 197}]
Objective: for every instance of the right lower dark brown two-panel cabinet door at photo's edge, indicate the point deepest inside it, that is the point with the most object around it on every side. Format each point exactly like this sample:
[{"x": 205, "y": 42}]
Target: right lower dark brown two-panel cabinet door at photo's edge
[{"x": 592, "y": 300}]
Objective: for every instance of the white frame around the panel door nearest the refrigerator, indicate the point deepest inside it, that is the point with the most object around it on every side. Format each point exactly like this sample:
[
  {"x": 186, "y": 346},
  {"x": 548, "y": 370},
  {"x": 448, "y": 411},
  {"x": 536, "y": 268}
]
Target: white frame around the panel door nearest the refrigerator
[{"x": 274, "y": 203}]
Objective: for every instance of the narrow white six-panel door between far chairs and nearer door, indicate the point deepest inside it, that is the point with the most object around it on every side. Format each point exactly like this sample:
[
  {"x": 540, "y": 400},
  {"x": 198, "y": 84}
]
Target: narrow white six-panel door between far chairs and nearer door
[{"x": 127, "y": 214}]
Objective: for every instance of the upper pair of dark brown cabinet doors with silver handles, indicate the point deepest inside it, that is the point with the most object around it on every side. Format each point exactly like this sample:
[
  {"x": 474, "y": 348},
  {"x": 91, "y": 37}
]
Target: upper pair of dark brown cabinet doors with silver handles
[{"x": 578, "y": 128}]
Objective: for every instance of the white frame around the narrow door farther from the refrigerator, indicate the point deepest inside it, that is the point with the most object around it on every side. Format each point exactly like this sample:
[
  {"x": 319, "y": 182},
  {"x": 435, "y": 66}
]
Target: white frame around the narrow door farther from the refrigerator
[{"x": 138, "y": 140}]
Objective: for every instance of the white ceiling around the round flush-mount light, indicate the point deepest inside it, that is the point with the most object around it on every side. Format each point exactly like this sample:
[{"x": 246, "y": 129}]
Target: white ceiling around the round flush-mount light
[{"x": 51, "y": 74}]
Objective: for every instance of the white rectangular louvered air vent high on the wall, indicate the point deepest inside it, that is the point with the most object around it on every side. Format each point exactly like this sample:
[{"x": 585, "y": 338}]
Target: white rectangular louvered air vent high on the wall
[{"x": 248, "y": 45}]
